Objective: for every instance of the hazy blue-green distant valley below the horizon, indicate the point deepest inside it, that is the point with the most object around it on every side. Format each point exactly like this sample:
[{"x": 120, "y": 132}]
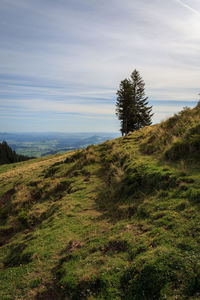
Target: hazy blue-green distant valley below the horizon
[{"x": 42, "y": 144}]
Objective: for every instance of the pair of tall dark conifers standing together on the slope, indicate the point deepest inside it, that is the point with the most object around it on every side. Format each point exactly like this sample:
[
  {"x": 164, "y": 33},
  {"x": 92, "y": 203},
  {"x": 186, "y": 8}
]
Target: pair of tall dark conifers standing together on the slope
[{"x": 132, "y": 107}]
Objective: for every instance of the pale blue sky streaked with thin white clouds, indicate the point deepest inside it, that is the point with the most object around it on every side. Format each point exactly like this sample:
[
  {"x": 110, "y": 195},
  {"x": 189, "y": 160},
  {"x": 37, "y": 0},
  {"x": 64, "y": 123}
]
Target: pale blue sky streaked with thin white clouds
[{"x": 61, "y": 62}]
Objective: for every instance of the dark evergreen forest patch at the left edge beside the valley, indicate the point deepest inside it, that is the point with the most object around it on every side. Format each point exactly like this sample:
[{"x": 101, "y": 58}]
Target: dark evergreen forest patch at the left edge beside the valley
[{"x": 7, "y": 155}]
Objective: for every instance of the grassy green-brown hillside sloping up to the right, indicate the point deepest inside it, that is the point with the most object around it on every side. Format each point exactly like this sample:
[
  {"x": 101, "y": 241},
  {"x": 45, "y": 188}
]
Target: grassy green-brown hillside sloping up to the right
[{"x": 118, "y": 220}]
